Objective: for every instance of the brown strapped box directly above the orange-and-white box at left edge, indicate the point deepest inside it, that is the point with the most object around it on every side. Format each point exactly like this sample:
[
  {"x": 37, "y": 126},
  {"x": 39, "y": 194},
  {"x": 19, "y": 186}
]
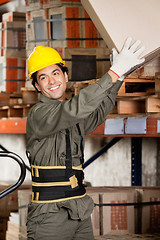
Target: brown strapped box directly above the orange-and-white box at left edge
[{"x": 13, "y": 39}]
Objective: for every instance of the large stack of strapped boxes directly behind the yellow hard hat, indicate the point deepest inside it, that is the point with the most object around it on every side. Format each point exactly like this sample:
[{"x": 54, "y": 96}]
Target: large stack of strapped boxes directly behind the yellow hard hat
[{"x": 66, "y": 26}]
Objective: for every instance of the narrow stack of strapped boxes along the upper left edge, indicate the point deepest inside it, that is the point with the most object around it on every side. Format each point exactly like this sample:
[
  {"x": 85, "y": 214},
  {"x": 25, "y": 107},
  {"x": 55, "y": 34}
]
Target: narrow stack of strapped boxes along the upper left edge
[{"x": 12, "y": 52}]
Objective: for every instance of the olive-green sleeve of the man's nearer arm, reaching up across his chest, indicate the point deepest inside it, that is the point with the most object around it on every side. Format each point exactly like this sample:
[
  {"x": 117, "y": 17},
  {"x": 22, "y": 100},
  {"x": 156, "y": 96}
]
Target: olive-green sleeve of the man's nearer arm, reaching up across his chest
[{"x": 47, "y": 119}]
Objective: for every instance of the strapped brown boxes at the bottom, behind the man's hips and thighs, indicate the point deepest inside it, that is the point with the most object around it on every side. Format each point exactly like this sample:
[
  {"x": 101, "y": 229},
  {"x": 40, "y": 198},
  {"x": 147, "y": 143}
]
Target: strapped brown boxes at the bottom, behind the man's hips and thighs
[{"x": 118, "y": 211}]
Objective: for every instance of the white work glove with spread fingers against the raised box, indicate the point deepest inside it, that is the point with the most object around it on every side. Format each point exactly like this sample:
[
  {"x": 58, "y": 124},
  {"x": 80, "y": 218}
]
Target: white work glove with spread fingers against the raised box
[{"x": 127, "y": 58}]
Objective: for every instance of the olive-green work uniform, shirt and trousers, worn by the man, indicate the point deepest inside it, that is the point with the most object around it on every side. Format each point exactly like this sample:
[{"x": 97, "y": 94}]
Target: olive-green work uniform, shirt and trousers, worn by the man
[{"x": 46, "y": 146}]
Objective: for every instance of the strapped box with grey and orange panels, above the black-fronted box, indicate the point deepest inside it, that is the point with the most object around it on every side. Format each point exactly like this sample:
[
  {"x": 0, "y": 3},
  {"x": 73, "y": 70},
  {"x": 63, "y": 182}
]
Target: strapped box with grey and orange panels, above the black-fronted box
[{"x": 71, "y": 26}]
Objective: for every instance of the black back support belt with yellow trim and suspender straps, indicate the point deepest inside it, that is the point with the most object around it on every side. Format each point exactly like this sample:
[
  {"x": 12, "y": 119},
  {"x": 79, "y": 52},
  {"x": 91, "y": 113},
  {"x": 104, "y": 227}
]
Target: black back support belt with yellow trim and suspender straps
[{"x": 59, "y": 183}]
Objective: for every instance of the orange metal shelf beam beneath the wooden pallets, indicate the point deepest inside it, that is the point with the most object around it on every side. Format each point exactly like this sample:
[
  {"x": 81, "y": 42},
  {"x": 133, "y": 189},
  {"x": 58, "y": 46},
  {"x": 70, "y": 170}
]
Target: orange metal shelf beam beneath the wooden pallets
[{"x": 18, "y": 126}]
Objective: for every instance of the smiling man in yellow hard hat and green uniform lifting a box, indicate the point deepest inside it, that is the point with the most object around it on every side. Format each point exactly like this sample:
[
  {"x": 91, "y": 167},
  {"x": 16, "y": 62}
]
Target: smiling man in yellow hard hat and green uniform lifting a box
[{"x": 60, "y": 208}]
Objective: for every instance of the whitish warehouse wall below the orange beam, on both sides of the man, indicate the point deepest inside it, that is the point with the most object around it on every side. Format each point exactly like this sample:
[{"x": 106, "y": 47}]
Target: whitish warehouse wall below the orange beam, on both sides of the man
[{"x": 111, "y": 169}]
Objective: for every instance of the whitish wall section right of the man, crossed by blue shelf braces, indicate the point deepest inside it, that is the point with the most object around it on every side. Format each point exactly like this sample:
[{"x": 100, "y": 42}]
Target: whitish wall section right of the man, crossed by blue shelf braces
[{"x": 113, "y": 168}]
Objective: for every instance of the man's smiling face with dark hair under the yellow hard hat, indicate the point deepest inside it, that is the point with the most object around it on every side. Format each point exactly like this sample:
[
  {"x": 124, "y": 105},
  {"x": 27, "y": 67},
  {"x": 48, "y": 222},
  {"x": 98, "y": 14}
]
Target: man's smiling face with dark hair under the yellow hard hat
[{"x": 52, "y": 82}]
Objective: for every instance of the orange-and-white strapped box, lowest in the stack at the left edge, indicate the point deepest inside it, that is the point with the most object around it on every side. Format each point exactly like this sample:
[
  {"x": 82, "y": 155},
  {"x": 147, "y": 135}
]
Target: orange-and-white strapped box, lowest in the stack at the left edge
[{"x": 13, "y": 74}]
